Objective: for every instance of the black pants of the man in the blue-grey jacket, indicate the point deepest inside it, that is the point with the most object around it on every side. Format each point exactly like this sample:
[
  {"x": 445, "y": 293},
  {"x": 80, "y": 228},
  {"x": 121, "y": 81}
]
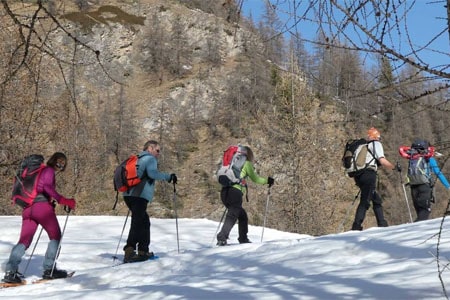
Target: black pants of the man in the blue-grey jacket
[{"x": 139, "y": 234}]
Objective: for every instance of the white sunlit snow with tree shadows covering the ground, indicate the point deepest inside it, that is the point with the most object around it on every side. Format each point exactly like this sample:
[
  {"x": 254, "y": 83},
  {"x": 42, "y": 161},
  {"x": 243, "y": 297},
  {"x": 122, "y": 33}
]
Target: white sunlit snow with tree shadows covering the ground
[{"x": 397, "y": 262}]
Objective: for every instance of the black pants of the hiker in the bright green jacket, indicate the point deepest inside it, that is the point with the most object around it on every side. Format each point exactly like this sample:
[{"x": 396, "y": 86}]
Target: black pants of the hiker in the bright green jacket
[{"x": 232, "y": 199}]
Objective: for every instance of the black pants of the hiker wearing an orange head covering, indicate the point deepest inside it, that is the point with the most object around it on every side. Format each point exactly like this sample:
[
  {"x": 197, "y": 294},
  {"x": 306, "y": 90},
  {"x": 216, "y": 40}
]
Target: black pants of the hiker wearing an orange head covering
[{"x": 367, "y": 181}]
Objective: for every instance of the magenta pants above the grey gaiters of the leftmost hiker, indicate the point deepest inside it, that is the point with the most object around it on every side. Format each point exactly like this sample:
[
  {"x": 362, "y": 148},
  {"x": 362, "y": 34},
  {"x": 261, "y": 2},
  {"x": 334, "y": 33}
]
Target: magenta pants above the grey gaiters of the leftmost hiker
[{"x": 41, "y": 213}]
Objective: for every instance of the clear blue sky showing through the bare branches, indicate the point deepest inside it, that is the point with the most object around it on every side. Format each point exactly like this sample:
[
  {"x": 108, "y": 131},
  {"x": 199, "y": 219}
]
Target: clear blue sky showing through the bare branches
[{"x": 425, "y": 20}]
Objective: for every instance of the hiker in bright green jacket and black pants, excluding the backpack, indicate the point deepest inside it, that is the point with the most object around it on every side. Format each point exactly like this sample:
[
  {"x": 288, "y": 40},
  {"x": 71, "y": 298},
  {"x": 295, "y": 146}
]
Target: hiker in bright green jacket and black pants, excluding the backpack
[{"x": 231, "y": 197}]
